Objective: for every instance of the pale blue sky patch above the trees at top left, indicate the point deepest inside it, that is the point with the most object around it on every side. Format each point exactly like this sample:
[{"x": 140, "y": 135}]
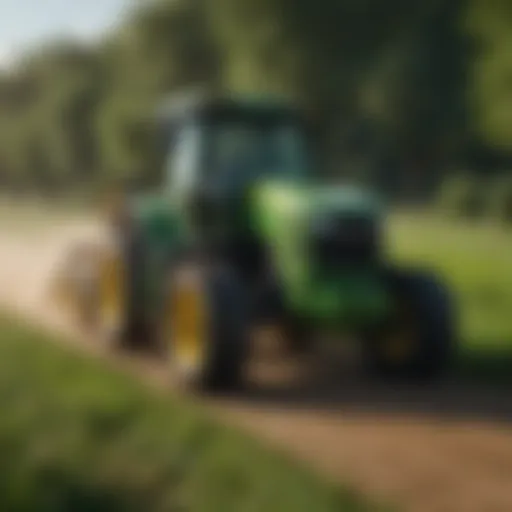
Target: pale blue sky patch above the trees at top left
[{"x": 26, "y": 23}]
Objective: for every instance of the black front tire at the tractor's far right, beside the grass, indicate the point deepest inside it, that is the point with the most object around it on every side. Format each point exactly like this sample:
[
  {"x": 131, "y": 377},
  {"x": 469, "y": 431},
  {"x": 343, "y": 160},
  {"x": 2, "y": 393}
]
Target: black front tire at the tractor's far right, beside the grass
[{"x": 430, "y": 319}]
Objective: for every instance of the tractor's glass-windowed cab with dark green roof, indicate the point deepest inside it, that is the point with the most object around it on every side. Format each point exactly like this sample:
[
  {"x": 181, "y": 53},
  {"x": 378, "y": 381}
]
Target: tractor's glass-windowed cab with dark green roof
[{"x": 219, "y": 148}]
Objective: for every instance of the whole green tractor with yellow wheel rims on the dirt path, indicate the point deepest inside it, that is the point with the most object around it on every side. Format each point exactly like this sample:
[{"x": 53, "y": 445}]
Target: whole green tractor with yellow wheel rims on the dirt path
[{"x": 243, "y": 233}]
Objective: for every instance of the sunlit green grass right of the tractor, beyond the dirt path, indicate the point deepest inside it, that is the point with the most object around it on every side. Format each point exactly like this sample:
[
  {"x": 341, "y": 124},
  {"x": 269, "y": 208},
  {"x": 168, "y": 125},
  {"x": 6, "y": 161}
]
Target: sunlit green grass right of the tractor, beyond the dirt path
[{"x": 476, "y": 262}]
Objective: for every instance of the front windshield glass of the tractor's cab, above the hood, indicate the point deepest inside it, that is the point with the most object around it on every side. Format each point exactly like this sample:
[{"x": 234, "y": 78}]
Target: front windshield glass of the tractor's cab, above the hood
[{"x": 242, "y": 152}]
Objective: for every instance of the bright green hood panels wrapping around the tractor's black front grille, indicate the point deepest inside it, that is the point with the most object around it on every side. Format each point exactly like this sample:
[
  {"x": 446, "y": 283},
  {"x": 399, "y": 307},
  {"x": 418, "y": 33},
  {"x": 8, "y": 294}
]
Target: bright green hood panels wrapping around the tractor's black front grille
[{"x": 284, "y": 214}]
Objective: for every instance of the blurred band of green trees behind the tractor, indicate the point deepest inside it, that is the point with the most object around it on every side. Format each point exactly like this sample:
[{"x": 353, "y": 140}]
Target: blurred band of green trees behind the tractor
[{"x": 394, "y": 81}]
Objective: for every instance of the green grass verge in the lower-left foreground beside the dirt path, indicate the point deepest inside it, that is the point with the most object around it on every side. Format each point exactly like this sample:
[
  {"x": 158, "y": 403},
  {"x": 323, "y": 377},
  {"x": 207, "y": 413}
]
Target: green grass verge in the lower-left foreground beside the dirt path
[{"x": 77, "y": 436}]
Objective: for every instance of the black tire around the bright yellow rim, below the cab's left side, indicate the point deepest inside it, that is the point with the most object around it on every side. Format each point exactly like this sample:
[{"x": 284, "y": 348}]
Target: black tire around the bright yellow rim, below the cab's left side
[{"x": 227, "y": 338}]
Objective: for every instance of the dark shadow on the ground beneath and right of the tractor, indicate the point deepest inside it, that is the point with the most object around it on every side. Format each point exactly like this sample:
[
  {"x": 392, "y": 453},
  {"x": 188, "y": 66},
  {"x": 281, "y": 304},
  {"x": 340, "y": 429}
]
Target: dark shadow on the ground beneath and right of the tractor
[{"x": 479, "y": 389}]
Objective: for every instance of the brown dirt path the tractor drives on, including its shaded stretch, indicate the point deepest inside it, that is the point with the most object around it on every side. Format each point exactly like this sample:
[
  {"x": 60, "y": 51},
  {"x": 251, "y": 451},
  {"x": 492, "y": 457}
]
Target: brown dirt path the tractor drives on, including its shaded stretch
[{"x": 440, "y": 449}]
